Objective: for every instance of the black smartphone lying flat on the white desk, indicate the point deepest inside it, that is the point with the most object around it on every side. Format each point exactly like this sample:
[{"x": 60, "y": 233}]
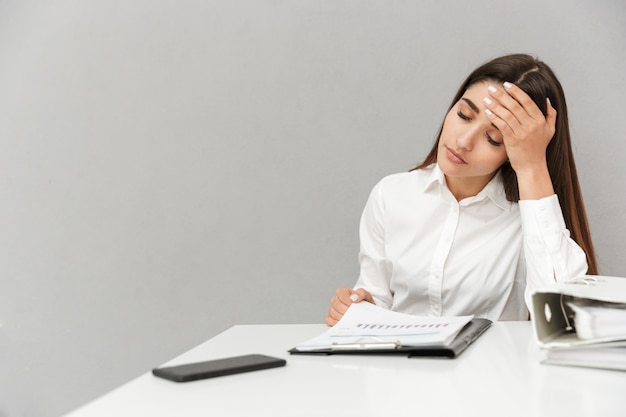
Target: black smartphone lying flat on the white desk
[{"x": 218, "y": 367}]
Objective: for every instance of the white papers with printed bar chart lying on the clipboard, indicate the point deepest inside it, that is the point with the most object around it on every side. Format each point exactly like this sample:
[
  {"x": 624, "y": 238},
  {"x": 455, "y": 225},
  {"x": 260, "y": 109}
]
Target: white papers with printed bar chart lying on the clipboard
[{"x": 364, "y": 323}]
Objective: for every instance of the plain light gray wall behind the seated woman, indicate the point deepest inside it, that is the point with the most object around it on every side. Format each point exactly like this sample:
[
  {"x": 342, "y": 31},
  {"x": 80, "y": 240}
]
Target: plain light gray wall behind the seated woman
[{"x": 169, "y": 169}]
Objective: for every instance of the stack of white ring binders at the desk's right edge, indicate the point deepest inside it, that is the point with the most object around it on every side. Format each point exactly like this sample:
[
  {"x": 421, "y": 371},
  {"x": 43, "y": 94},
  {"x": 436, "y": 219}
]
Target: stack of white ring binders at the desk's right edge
[{"x": 582, "y": 322}]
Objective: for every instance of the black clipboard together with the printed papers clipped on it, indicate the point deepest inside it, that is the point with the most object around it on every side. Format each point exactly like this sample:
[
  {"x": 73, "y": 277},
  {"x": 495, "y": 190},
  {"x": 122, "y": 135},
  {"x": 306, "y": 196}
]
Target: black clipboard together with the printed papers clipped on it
[{"x": 368, "y": 329}]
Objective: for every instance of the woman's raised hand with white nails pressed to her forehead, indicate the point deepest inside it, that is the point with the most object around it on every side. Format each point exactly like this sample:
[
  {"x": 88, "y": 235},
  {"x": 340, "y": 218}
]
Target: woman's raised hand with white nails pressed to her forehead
[{"x": 526, "y": 132}]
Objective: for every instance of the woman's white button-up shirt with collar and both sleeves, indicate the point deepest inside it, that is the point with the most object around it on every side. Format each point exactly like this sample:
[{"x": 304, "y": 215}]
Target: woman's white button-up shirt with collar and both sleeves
[{"x": 425, "y": 253}]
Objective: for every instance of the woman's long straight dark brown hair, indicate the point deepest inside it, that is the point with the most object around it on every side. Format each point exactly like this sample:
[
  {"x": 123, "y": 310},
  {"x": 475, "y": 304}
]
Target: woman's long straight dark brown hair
[{"x": 538, "y": 81}]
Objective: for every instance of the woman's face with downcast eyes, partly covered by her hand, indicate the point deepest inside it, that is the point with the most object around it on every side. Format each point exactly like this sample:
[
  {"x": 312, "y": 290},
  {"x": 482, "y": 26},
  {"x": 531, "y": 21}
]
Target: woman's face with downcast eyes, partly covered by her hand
[{"x": 470, "y": 148}]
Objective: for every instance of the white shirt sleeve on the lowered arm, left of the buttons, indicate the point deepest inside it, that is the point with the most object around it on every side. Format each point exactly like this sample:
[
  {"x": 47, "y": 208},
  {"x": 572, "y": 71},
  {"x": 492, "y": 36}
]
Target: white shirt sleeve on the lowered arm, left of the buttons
[{"x": 374, "y": 274}]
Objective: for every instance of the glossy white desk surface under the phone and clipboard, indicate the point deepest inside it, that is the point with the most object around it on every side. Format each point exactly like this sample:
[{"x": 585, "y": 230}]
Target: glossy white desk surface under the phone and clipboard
[{"x": 499, "y": 375}]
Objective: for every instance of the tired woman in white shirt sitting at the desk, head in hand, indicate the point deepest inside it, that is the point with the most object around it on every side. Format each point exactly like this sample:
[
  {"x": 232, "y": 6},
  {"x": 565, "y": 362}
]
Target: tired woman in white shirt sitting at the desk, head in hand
[{"x": 494, "y": 210}]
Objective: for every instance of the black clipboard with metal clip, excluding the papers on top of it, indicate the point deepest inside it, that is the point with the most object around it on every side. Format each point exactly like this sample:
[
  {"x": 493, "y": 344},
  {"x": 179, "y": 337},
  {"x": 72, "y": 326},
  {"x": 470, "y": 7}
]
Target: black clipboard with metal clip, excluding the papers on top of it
[{"x": 468, "y": 335}]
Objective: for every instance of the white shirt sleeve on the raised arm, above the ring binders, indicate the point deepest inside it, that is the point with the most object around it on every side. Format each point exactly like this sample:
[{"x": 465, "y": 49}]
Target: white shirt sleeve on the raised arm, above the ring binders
[{"x": 551, "y": 255}]
